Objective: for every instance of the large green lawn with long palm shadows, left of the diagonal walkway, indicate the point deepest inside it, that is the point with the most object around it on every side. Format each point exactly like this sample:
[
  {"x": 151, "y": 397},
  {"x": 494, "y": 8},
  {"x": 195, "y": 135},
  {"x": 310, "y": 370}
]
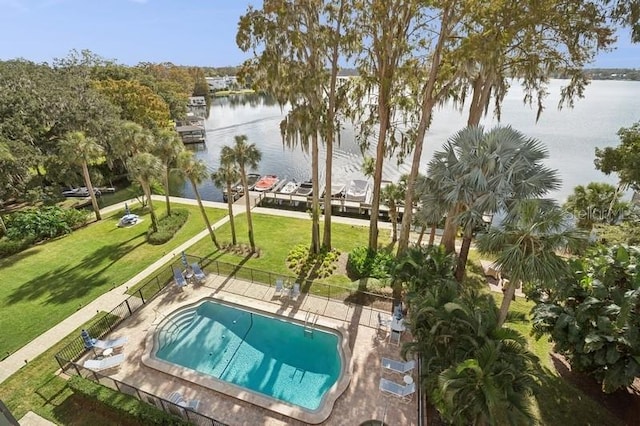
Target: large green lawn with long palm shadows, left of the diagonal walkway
[{"x": 48, "y": 282}]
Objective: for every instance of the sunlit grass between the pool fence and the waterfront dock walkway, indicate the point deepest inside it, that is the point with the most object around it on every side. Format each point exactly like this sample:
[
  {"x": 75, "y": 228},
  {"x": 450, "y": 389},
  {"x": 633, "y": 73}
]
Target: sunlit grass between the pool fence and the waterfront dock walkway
[{"x": 275, "y": 236}]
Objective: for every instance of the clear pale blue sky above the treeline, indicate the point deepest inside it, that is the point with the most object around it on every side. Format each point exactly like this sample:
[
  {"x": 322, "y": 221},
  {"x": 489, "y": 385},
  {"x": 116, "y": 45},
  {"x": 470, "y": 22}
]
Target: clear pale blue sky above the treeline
[{"x": 184, "y": 32}]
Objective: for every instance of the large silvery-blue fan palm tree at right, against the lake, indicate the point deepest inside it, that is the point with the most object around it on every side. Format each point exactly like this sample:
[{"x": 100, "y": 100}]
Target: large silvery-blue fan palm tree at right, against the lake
[{"x": 478, "y": 173}]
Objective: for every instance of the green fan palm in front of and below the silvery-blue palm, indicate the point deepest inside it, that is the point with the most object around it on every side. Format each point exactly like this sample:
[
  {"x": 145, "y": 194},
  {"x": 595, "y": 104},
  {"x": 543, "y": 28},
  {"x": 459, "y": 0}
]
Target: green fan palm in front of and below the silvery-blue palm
[{"x": 527, "y": 245}]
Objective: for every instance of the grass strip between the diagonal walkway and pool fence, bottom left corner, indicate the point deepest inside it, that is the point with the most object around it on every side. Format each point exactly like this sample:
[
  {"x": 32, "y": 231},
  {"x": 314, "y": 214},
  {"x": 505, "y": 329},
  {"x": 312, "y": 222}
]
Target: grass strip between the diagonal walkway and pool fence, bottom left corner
[{"x": 36, "y": 387}]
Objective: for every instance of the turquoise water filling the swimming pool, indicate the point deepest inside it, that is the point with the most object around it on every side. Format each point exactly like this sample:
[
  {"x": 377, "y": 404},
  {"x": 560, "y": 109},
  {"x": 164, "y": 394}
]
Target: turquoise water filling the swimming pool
[{"x": 264, "y": 354}]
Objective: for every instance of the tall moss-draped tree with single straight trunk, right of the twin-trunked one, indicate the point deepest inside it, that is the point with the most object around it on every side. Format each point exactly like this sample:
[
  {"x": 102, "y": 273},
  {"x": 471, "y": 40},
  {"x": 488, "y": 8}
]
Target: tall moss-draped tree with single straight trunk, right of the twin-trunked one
[{"x": 387, "y": 73}]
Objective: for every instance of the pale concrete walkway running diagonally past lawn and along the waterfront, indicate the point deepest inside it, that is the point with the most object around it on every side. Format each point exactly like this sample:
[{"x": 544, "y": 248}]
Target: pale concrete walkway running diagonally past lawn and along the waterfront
[{"x": 114, "y": 297}]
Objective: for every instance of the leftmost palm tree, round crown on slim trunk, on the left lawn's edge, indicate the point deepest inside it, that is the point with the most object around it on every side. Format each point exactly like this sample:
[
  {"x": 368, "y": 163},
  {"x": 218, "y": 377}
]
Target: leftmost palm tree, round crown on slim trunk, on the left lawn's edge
[{"x": 80, "y": 150}]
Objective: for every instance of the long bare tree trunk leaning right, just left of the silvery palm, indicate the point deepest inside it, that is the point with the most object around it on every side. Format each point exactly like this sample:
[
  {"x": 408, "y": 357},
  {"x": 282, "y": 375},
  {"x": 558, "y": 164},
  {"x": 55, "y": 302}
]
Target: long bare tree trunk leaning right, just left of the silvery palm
[{"x": 428, "y": 102}]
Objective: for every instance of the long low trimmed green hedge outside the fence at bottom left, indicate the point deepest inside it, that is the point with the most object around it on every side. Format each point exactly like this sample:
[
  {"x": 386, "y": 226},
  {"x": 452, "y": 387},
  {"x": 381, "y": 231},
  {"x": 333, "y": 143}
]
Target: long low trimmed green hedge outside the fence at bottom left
[{"x": 126, "y": 405}]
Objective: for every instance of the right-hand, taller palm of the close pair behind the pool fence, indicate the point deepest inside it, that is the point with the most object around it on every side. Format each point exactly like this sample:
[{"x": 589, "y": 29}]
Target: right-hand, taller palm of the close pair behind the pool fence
[{"x": 246, "y": 156}]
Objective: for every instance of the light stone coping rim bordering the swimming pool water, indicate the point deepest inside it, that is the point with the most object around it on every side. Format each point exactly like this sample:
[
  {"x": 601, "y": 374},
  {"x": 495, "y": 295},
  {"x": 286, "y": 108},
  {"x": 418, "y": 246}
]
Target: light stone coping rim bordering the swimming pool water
[{"x": 296, "y": 412}]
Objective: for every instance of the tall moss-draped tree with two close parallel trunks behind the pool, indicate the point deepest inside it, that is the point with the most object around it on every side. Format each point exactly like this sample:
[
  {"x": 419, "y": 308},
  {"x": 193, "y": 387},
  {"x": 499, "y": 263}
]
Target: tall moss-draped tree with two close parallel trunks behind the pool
[{"x": 297, "y": 47}]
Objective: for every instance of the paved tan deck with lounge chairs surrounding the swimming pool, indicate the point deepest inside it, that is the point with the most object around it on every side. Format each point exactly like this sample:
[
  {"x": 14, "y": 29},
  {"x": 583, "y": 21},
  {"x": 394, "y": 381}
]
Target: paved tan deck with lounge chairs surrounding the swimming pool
[{"x": 361, "y": 401}]
